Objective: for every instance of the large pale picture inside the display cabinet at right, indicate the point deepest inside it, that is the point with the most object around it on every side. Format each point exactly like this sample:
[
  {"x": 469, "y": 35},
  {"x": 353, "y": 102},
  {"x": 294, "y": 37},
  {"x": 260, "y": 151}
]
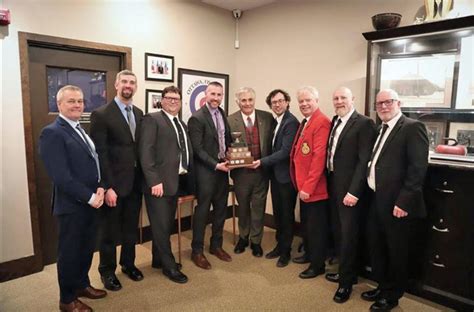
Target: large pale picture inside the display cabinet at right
[{"x": 421, "y": 81}]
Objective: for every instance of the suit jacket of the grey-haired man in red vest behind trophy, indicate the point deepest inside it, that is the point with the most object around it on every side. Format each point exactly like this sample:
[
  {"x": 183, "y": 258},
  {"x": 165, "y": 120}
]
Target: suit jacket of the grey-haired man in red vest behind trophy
[{"x": 266, "y": 124}]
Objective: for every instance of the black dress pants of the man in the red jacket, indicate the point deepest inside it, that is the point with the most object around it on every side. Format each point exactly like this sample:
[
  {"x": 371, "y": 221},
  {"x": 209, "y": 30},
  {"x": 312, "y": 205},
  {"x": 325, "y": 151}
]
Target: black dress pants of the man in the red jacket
[{"x": 316, "y": 228}]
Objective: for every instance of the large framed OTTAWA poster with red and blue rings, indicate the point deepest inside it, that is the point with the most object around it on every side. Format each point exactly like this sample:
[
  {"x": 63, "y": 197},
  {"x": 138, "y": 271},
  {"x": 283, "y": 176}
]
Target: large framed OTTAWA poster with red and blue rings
[{"x": 193, "y": 84}]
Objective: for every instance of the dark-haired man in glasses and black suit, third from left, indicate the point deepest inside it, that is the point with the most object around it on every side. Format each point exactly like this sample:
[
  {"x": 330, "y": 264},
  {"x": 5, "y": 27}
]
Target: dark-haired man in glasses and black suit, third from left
[{"x": 166, "y": 159}]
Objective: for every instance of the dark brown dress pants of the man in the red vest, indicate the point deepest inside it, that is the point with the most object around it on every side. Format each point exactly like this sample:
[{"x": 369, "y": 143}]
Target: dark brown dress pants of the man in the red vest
[{"x": 251, "y": 187}]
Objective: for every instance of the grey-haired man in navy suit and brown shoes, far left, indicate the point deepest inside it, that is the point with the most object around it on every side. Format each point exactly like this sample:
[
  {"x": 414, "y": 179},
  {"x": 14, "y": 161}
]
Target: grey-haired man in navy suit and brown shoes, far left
[{"x": 71, "y": 162}]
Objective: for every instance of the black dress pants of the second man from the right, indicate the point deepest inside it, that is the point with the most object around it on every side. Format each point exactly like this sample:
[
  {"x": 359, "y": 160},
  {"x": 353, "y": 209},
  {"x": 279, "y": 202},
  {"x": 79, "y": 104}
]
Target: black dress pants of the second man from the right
[{"x": 345, "y": 227}]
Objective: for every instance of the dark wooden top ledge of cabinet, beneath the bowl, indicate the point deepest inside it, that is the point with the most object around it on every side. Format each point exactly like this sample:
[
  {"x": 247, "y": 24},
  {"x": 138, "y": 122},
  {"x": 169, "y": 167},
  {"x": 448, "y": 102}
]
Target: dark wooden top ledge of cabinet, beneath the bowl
[{"x": 444, "y": 25}]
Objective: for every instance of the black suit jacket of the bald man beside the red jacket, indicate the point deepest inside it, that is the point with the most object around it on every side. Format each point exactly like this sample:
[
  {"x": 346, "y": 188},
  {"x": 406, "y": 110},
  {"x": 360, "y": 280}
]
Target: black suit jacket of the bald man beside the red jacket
[{"x": 352, "y": 153}]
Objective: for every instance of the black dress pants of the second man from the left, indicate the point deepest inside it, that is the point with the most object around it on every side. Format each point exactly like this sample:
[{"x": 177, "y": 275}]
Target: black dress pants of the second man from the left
[{"x": 119, "y": 225}]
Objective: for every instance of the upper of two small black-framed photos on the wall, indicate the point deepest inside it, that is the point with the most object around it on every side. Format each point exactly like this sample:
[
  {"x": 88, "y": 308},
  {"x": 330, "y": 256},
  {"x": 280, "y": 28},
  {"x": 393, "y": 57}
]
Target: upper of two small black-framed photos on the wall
[{"x": 159, "y": 67}]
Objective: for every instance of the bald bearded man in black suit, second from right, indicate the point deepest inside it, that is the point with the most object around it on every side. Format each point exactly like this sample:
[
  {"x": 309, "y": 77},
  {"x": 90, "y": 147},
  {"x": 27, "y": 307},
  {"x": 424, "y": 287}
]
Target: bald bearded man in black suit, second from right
[{"x": 349, "y": 146}]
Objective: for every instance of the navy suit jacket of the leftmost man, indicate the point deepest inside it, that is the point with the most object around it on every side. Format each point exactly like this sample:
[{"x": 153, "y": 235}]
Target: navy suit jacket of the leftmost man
[{"x": 70, "y": 165}]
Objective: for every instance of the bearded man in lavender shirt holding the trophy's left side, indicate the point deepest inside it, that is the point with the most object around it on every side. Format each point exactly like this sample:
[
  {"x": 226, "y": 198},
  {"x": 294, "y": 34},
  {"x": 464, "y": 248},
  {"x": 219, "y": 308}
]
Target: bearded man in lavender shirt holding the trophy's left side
[{"x": 210, "y": 137}]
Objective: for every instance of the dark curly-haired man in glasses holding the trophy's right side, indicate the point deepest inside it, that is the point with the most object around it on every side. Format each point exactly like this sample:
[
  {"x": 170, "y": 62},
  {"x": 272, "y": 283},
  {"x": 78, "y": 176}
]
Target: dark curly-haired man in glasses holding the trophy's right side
[{"x": 278, "y": 163}]
